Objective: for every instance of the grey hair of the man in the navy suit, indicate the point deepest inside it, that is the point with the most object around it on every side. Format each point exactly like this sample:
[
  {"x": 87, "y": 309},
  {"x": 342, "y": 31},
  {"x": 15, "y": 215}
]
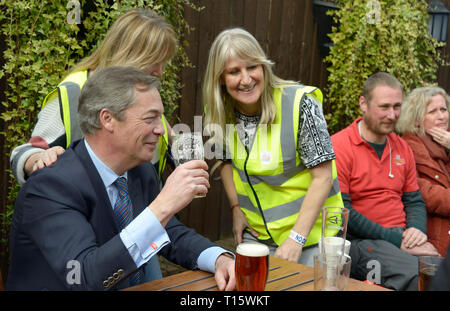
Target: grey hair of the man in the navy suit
[{"x": 114, "y": 89}]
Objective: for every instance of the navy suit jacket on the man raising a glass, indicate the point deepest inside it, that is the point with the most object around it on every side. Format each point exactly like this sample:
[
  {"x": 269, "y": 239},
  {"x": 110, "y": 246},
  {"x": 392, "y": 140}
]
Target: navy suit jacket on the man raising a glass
[{"x": 63, "y": 213}]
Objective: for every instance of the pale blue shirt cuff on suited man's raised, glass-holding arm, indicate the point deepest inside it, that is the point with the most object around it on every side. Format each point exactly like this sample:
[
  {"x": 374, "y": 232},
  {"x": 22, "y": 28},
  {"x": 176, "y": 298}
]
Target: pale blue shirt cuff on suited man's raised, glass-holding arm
[{"x": 144, "y": 237}]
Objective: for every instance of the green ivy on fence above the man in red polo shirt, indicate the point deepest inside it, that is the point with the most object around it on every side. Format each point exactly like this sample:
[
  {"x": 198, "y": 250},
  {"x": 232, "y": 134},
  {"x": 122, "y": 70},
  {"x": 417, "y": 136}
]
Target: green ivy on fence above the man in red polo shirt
[{"x": 377, "y": 35}]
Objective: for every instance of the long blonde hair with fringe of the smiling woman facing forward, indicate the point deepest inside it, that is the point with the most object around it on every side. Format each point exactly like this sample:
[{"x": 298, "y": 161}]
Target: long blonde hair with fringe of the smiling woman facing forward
[{"x": 218, "y": 104}]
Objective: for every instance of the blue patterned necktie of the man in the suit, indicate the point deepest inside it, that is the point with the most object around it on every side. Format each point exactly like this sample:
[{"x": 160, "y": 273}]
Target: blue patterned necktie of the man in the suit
[{"x": 123, "y": 213}]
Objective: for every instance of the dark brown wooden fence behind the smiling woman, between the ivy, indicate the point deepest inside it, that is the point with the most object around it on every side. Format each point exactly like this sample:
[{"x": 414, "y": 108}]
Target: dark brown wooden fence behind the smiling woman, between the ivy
[{"x": 287, "y": 31}]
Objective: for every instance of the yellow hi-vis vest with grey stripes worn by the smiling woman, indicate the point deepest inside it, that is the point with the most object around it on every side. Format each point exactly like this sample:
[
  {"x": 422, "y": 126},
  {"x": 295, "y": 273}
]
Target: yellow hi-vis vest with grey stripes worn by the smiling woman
[{"x": 274, "y": 172}]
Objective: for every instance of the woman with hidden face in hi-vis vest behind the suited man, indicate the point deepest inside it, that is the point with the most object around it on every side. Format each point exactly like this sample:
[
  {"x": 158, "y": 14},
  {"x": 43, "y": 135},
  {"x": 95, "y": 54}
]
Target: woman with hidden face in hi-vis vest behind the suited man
[{"x": 139, "y": 38}]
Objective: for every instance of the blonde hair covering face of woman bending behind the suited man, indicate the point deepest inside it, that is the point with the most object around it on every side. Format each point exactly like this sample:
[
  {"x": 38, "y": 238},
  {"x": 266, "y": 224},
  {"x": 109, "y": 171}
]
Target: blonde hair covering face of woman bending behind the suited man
[{"x": 139, "y": 38}]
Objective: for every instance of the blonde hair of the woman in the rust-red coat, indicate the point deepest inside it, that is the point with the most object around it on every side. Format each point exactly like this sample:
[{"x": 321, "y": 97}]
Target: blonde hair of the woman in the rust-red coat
[{"x": 414, "y": 108}]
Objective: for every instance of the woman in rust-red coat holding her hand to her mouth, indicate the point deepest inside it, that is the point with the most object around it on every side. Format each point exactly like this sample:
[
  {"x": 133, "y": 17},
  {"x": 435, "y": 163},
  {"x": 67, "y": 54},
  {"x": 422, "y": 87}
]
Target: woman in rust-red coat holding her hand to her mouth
[{"x": 424, "y": 123}]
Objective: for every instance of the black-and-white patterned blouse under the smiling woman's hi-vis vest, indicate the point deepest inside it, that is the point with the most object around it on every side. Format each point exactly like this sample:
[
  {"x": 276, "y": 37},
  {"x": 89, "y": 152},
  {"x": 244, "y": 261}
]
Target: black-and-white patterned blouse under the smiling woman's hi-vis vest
[{"x": 314, "y": 144}]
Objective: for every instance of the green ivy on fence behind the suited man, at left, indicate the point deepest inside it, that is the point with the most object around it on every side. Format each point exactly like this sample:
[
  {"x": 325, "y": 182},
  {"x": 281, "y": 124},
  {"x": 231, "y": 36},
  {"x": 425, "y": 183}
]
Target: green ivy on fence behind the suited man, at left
[{"x": 43, "y": 41}]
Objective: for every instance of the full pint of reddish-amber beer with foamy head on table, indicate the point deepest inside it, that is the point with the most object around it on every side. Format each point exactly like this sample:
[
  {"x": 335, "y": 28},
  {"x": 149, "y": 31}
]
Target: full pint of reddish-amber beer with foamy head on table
[{"x": 252, "y": 266}]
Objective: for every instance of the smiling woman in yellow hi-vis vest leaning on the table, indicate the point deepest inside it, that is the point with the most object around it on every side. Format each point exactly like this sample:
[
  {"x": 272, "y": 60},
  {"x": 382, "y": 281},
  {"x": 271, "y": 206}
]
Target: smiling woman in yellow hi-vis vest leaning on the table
[{"x": 278, "y": 169}]
